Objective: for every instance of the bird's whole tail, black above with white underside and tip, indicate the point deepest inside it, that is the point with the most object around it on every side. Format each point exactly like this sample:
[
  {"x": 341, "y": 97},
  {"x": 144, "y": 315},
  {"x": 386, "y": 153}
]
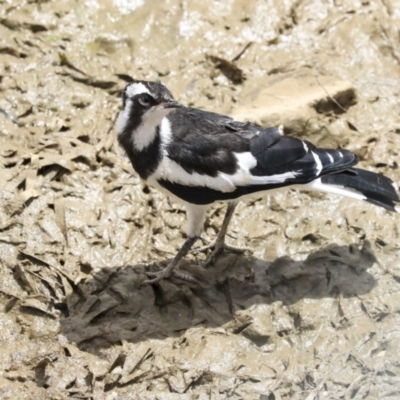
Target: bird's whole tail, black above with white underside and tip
[{"x": 360, "y": 184}]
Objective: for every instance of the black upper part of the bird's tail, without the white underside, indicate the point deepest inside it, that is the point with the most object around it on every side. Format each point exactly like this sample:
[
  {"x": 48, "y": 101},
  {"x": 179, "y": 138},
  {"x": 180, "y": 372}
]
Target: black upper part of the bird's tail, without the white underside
[{"x": 377, "y": 188}]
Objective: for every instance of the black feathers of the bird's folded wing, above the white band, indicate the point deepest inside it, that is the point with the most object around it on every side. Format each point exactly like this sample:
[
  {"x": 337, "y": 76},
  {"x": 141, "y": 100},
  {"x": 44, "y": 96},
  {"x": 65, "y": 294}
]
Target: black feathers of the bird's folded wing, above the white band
[{"x": 208, "y": 147}]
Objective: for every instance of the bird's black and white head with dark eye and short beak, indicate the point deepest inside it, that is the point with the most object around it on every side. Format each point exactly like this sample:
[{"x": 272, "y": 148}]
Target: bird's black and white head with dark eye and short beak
[{"x": 144, "y": 101}]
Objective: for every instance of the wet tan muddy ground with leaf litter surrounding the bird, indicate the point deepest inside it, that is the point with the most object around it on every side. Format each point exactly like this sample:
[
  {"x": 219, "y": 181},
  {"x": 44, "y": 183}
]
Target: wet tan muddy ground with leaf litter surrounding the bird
[{"x": 312, "y": 313}]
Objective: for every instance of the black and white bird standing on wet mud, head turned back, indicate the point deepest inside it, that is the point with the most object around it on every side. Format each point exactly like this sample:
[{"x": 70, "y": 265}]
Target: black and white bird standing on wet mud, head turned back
[{"x": 200, "y": 157}]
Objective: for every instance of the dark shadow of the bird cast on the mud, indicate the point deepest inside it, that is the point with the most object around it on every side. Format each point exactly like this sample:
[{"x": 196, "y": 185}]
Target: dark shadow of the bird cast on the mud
[{"x": 113, "y": 305}]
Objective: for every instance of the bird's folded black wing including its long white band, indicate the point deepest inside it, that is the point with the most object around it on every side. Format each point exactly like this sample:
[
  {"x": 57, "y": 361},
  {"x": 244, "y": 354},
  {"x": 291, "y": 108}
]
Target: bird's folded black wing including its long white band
[{"x": 219, "y": 153}]
